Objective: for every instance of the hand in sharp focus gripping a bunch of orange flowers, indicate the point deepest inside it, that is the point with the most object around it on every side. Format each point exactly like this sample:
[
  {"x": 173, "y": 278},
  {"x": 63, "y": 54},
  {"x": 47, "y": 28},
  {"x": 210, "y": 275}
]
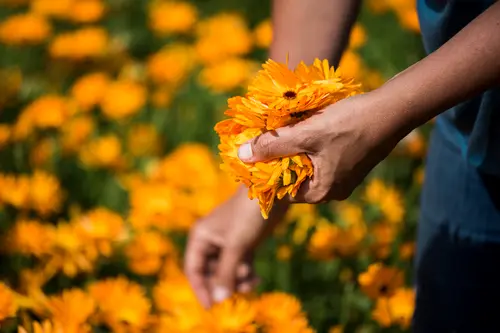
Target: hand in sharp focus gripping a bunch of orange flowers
[{"x": 344, "y": 142}]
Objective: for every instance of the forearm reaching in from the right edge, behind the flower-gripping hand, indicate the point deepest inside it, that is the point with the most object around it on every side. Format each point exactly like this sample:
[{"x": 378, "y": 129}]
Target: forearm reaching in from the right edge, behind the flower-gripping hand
[{"x": 465, "y": 66}]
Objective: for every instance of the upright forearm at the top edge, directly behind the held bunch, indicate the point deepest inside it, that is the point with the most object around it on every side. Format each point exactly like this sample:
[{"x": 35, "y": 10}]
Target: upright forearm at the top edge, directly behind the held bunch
[{"x": 311, "y": 29}]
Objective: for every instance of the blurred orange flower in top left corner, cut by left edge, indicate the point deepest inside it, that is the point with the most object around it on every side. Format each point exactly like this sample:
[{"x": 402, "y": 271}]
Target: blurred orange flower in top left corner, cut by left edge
[{"x": 24, "y": 29}]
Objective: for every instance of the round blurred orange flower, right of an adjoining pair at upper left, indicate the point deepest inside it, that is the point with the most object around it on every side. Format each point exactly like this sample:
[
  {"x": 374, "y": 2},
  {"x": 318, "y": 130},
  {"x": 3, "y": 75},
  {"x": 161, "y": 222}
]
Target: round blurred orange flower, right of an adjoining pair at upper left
[{"x": 123, "y": 99}]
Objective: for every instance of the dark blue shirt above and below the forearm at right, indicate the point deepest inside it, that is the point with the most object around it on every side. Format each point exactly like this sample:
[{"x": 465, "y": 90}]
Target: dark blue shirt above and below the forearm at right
[{"x": 473, "y": 127}]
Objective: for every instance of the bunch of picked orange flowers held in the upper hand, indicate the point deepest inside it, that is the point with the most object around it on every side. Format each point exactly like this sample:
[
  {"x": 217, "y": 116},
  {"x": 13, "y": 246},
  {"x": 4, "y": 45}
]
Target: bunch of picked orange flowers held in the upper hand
[{"x": 278, "y": 97}]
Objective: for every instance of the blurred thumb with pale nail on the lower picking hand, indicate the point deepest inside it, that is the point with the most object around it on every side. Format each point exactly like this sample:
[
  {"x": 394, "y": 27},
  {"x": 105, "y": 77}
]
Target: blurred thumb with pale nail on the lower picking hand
[{"x": 225, "y": 276}]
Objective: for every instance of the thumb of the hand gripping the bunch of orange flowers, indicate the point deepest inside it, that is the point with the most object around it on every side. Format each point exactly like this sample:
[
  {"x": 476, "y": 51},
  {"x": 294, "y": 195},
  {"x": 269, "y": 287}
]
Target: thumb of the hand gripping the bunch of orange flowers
[{"x": 282, "y": 142}]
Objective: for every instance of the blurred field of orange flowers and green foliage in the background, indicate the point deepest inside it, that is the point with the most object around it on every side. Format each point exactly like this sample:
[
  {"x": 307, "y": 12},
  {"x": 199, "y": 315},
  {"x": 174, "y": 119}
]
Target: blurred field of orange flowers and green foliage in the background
[{"x": 108, "y": 156}]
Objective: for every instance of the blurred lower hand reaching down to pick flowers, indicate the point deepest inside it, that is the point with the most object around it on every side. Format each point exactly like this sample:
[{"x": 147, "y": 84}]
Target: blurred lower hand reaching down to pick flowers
[{"x": 218, "y": 258}]
